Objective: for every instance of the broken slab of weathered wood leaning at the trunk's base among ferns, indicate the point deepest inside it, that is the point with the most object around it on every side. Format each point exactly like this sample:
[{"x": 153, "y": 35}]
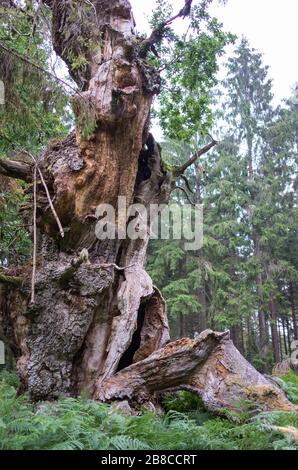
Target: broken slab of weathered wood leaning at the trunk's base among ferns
[{"x": 209, "y": 366}]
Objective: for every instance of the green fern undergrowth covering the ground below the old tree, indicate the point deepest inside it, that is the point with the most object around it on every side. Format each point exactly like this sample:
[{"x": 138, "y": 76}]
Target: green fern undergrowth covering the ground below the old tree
[{"x": 80, "y": 423}]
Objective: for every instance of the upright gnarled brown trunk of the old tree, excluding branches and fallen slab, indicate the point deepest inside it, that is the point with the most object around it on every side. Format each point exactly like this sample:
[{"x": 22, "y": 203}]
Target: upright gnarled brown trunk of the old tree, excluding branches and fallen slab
[{"x": 72, "y": 335}]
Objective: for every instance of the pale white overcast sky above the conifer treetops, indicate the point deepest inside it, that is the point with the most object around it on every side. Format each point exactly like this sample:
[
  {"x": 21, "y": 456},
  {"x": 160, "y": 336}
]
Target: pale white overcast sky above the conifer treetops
[{"x": 270, "y": 25}]
